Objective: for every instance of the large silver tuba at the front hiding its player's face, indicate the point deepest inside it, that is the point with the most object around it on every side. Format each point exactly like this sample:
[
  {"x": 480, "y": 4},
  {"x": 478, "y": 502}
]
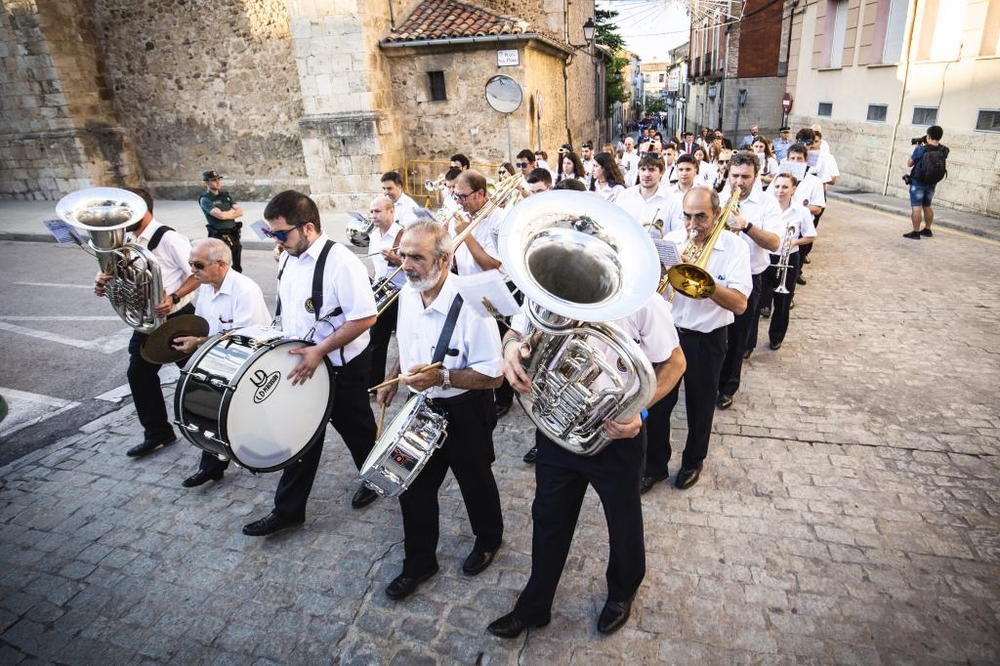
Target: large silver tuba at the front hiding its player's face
[{"x": 581, "y": 263}]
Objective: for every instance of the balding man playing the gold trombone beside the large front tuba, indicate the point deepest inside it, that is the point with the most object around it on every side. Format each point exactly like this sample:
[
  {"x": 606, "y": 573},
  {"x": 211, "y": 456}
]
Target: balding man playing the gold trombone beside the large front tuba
[{"x": 702, "y": 328}]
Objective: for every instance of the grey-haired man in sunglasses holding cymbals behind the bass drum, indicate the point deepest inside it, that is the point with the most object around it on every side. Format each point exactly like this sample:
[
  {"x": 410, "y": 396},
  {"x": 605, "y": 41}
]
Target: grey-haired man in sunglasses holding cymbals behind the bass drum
[{"x": 226, "y": 300}]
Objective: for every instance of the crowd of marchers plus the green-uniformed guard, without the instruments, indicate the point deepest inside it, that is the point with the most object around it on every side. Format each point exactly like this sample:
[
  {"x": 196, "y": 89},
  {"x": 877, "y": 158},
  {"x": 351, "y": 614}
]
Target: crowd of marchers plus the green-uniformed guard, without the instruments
[{"x": 745, "y": 215}]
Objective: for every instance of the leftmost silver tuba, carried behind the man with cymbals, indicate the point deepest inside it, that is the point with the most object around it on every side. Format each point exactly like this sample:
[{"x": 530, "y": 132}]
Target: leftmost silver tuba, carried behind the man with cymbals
[{"x": 106, "y": 213}]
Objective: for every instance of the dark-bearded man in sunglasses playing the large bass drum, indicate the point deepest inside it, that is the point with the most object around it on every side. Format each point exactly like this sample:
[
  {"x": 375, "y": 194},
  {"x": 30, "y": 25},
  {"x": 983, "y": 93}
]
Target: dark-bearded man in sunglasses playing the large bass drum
[{"x": 337, "y": 304}]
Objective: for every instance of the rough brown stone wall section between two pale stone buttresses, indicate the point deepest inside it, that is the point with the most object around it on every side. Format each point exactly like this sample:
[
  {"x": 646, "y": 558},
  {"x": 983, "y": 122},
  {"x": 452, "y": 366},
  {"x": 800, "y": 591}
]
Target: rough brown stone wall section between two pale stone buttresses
[{"x": 206, "y": 85}]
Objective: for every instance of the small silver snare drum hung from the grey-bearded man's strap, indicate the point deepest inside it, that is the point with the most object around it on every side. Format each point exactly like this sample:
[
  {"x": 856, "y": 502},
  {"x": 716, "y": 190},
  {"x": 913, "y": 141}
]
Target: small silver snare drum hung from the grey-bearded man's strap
[{"x": 404, "y": 448}]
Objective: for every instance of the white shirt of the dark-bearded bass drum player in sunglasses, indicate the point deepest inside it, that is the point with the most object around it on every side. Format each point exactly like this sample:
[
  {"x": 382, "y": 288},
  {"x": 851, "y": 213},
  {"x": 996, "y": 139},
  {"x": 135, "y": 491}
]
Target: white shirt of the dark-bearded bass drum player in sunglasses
[{"x": 345, "y": 285}]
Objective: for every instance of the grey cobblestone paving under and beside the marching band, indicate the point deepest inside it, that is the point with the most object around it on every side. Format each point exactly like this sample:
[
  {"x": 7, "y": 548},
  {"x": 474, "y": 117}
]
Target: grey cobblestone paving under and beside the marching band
[{"x": 849, "y": 513}]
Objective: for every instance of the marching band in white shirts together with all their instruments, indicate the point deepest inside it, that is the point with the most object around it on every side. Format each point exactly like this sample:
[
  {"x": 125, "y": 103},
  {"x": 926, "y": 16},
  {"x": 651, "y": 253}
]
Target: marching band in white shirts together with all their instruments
[{"x": 571, "y": 255}]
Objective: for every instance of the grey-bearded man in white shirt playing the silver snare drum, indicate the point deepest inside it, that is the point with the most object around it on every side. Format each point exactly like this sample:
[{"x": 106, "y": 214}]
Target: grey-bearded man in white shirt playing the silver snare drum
[{"x": 462, "y": 388}]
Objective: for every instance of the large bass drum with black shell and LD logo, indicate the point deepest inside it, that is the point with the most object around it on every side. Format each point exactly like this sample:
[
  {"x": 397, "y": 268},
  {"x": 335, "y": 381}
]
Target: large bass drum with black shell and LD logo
[{"x": 233, "y": 399}]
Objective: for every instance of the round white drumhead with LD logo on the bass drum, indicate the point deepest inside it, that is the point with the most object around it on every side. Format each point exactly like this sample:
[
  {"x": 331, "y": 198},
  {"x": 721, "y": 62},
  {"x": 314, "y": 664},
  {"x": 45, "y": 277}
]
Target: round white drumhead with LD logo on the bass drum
[{"x": 268, "y": 422}]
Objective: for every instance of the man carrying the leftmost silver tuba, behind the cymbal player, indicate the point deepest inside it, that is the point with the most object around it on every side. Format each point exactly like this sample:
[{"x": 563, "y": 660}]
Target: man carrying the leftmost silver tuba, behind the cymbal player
[{"x": 171, "y": 251}]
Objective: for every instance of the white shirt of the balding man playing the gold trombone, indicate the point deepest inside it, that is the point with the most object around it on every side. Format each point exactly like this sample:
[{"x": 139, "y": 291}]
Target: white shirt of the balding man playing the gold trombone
[{"x": 729, "y": 264}]
